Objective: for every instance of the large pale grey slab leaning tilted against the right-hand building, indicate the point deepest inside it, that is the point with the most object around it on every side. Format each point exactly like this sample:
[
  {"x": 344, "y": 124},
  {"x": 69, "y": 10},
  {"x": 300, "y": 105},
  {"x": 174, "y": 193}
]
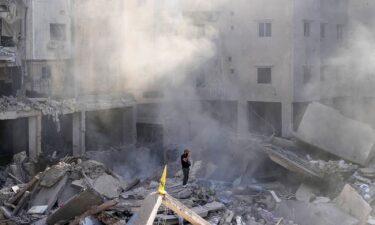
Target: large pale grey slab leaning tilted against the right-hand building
[{"x": 327, "y": 129}]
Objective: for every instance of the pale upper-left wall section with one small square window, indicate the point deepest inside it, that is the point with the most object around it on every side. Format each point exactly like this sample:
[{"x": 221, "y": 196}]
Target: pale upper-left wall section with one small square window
[{"x": 48, "y": 30}]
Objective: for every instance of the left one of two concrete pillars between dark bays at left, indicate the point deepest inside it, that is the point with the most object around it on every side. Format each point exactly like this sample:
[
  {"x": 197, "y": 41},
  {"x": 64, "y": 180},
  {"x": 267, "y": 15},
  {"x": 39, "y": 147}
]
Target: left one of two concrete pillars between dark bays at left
[{"x": 35, "y": 134}]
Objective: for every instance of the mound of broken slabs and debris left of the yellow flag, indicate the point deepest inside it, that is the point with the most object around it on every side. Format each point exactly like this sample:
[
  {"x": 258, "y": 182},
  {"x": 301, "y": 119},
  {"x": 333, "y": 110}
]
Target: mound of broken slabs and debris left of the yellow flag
[{"x": 61, "y": 193}]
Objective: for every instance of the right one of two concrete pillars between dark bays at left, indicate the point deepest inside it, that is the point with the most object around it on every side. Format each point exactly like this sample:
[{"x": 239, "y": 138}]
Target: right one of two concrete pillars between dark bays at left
[{"x": 79, "y": 133}]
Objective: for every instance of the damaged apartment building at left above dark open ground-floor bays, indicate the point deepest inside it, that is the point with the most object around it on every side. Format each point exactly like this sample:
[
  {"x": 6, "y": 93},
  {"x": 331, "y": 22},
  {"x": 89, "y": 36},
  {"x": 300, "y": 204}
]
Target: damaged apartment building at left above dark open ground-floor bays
[{"x": 39, "y": 62}]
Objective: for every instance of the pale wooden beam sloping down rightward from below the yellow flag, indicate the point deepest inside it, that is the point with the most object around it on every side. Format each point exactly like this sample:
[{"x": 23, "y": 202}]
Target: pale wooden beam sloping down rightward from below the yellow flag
[{"x": 183, "y": 211}]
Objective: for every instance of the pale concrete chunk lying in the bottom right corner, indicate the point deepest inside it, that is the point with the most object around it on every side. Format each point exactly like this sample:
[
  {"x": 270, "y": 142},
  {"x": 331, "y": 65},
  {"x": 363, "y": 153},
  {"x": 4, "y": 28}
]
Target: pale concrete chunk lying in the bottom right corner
[{"x": 351, "y": 202}]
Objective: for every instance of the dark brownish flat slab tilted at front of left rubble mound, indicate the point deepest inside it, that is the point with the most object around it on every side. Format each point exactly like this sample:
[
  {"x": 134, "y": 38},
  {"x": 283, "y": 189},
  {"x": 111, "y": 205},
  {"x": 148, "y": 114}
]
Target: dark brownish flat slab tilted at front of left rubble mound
[{"x": 75, "y": 206}]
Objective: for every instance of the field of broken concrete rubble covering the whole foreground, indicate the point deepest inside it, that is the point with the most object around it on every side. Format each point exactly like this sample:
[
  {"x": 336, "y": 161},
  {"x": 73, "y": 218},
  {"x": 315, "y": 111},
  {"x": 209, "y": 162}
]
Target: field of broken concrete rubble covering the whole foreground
[{"x": 80, "y": 191}]
